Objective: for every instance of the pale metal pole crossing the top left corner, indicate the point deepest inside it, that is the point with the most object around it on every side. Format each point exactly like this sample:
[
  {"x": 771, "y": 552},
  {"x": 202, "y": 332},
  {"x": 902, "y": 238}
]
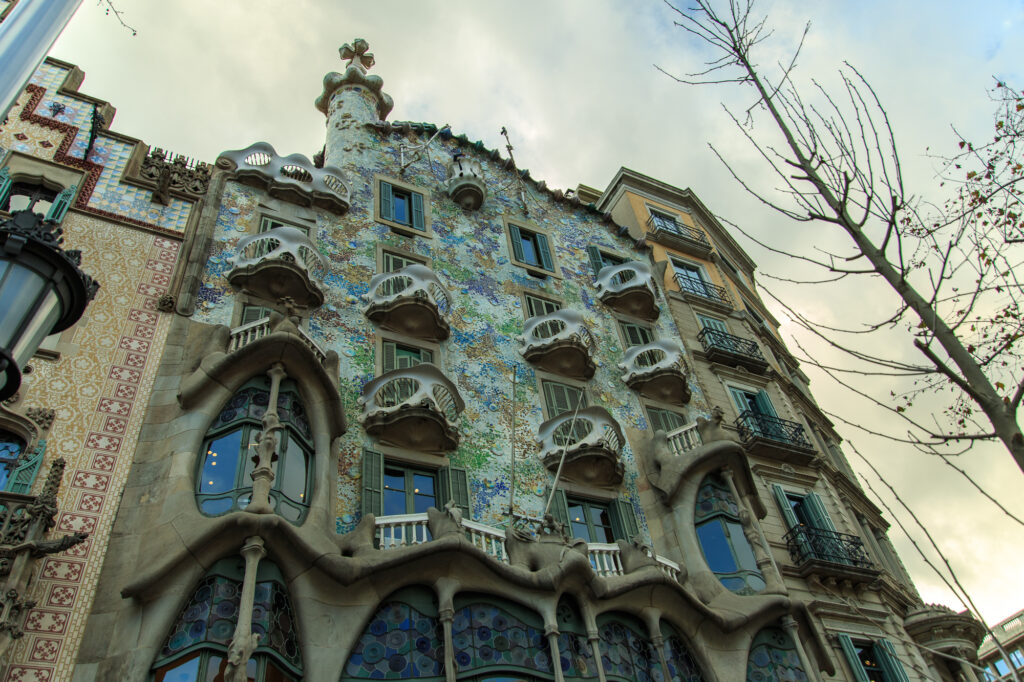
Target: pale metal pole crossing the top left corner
[{"x": 26, "y": 36}]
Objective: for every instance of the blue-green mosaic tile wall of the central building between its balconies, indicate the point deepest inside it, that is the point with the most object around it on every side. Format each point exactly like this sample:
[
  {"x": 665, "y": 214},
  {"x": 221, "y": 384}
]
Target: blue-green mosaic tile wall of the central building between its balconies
[{"x": 471, "y": 254}]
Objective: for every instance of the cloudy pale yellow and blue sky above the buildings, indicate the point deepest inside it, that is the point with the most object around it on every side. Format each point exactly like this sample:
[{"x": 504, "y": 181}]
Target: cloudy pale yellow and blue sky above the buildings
[{"x": 575, "y": 82}]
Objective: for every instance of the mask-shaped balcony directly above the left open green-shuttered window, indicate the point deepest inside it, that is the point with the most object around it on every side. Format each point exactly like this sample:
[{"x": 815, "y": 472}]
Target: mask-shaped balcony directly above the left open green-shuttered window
[{"x": 415, "y": 408}]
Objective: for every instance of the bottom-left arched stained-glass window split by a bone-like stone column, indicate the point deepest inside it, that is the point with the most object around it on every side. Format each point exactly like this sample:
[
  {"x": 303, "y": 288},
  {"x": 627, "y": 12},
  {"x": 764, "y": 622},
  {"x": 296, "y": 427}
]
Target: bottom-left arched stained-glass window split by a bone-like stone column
[{"x": 197, "y": 648}]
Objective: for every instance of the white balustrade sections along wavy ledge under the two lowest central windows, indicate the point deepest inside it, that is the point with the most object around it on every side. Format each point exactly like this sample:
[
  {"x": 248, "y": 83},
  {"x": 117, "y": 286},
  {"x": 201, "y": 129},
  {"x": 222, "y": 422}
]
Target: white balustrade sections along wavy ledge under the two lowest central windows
[{"x": 410, "y": 530}]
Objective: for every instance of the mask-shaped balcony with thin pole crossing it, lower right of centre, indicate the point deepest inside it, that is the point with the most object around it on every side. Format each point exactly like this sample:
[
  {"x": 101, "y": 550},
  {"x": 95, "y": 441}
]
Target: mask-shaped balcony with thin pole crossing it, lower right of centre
[{"x": 592, "y": 444}]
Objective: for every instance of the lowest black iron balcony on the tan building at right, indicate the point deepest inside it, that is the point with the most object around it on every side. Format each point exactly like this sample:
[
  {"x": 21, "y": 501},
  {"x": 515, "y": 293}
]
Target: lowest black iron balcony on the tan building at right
[{"x": 831, "y": 555}]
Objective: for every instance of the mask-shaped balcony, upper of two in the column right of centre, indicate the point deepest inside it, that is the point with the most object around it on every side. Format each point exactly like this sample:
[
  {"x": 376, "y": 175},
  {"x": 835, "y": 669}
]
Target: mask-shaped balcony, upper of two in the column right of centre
[{"x": 561, "y": 344}]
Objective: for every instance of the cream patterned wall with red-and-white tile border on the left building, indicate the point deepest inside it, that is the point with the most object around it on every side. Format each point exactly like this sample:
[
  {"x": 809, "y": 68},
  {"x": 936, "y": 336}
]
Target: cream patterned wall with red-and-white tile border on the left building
[{"x": 99, "y": 390}]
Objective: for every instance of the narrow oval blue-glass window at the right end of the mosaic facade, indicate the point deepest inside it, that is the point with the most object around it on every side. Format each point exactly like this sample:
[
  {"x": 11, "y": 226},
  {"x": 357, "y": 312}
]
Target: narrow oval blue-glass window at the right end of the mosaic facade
[{"x": 726, "y": 548}]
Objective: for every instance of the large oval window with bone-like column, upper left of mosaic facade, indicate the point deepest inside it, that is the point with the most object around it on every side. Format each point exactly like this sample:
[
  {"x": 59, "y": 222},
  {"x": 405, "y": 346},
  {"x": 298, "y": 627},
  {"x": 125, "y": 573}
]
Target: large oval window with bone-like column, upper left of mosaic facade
[{"x": 225, "y": 482}]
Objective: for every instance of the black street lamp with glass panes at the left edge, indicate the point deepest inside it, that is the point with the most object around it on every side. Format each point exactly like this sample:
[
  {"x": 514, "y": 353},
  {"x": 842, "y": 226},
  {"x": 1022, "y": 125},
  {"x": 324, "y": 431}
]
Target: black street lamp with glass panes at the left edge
[{"x": 42, "y": 291}]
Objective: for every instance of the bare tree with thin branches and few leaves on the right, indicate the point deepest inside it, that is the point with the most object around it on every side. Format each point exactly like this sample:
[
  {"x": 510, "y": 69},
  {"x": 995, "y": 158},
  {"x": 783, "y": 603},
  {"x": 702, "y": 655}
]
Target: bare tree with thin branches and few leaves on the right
[{"x": 950, "y": 265}]
